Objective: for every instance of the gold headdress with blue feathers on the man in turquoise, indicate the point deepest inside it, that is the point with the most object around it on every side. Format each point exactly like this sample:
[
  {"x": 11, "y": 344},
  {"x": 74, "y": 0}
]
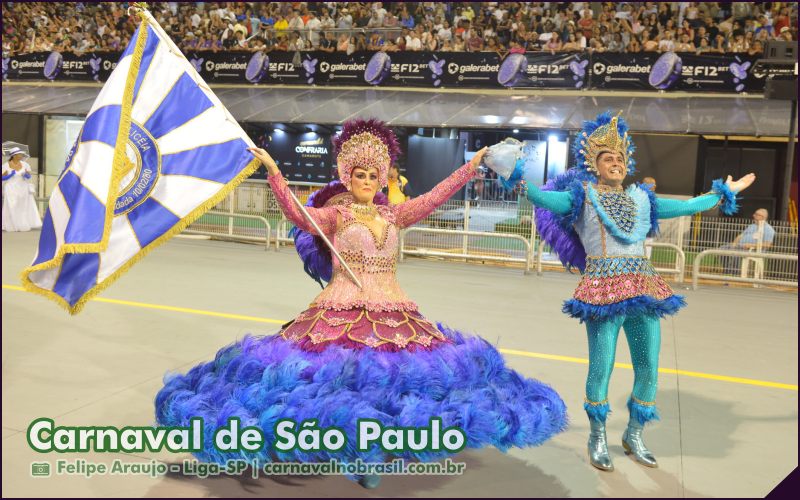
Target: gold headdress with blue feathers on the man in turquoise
[{"x": 606, "y": 133}]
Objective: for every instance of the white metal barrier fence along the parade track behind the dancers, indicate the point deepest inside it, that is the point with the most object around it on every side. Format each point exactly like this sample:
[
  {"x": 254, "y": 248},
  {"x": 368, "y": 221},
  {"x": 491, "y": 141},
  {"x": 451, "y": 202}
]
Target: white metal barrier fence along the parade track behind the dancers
[{"x": 503, "y": 231}]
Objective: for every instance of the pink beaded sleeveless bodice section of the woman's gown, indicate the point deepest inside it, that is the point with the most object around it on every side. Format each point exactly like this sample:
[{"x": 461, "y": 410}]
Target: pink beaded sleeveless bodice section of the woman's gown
[{"x": 373, "y": 259}]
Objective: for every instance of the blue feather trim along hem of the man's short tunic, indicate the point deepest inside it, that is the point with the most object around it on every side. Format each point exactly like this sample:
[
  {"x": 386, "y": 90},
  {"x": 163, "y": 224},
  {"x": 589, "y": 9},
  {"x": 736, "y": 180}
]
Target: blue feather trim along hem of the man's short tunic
[{"x": 643, "y": 304}]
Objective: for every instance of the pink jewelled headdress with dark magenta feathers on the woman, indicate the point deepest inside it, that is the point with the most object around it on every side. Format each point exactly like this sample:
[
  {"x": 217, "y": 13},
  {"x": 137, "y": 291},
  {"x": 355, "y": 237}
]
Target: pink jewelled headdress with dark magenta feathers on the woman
[{"x": 366, "y": 144}]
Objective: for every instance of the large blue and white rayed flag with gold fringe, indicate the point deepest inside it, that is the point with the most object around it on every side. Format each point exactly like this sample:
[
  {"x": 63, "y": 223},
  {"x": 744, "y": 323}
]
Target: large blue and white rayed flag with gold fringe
[{"x": 157, "y": 150}]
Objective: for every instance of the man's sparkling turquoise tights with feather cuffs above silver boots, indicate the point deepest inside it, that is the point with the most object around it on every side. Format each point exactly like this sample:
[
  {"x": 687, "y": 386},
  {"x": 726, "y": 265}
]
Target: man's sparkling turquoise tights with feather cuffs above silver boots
[{"x": 644, "y": 340}]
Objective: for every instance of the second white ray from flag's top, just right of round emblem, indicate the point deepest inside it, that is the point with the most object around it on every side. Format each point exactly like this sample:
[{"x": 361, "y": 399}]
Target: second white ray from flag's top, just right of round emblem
[{"x": 210, "y": 127}]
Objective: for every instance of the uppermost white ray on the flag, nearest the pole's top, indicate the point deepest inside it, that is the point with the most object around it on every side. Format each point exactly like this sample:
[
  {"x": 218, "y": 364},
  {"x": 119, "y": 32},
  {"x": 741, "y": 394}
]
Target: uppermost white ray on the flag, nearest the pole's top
[{"x": 162, "y": 74}]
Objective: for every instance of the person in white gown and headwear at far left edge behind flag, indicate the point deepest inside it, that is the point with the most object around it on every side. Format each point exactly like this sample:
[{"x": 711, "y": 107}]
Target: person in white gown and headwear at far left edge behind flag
[{"x": 19, "y": 205}]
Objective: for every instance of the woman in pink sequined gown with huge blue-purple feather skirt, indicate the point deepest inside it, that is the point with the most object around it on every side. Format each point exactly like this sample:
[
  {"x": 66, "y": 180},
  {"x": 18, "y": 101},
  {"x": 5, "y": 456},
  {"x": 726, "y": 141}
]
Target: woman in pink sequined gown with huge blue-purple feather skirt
[{"x": 362, "y": 353}]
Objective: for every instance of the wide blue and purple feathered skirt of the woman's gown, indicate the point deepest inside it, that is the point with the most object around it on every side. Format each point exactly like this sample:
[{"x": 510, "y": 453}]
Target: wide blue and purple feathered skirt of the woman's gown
[{"x": 464, "y": 381}]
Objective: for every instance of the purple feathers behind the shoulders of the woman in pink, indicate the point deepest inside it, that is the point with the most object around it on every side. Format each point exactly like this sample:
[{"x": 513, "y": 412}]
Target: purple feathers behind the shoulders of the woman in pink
[{"x": 314, "y": 253}]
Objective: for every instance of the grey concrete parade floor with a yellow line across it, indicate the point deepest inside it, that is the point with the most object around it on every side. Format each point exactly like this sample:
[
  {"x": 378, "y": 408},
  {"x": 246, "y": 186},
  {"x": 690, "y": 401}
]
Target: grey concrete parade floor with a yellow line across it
[{"x": 727, "y": 392}]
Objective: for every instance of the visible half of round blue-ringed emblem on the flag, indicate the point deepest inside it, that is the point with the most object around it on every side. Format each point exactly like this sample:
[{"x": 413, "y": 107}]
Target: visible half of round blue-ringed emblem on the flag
[{"x": 141, "y": 170}]
